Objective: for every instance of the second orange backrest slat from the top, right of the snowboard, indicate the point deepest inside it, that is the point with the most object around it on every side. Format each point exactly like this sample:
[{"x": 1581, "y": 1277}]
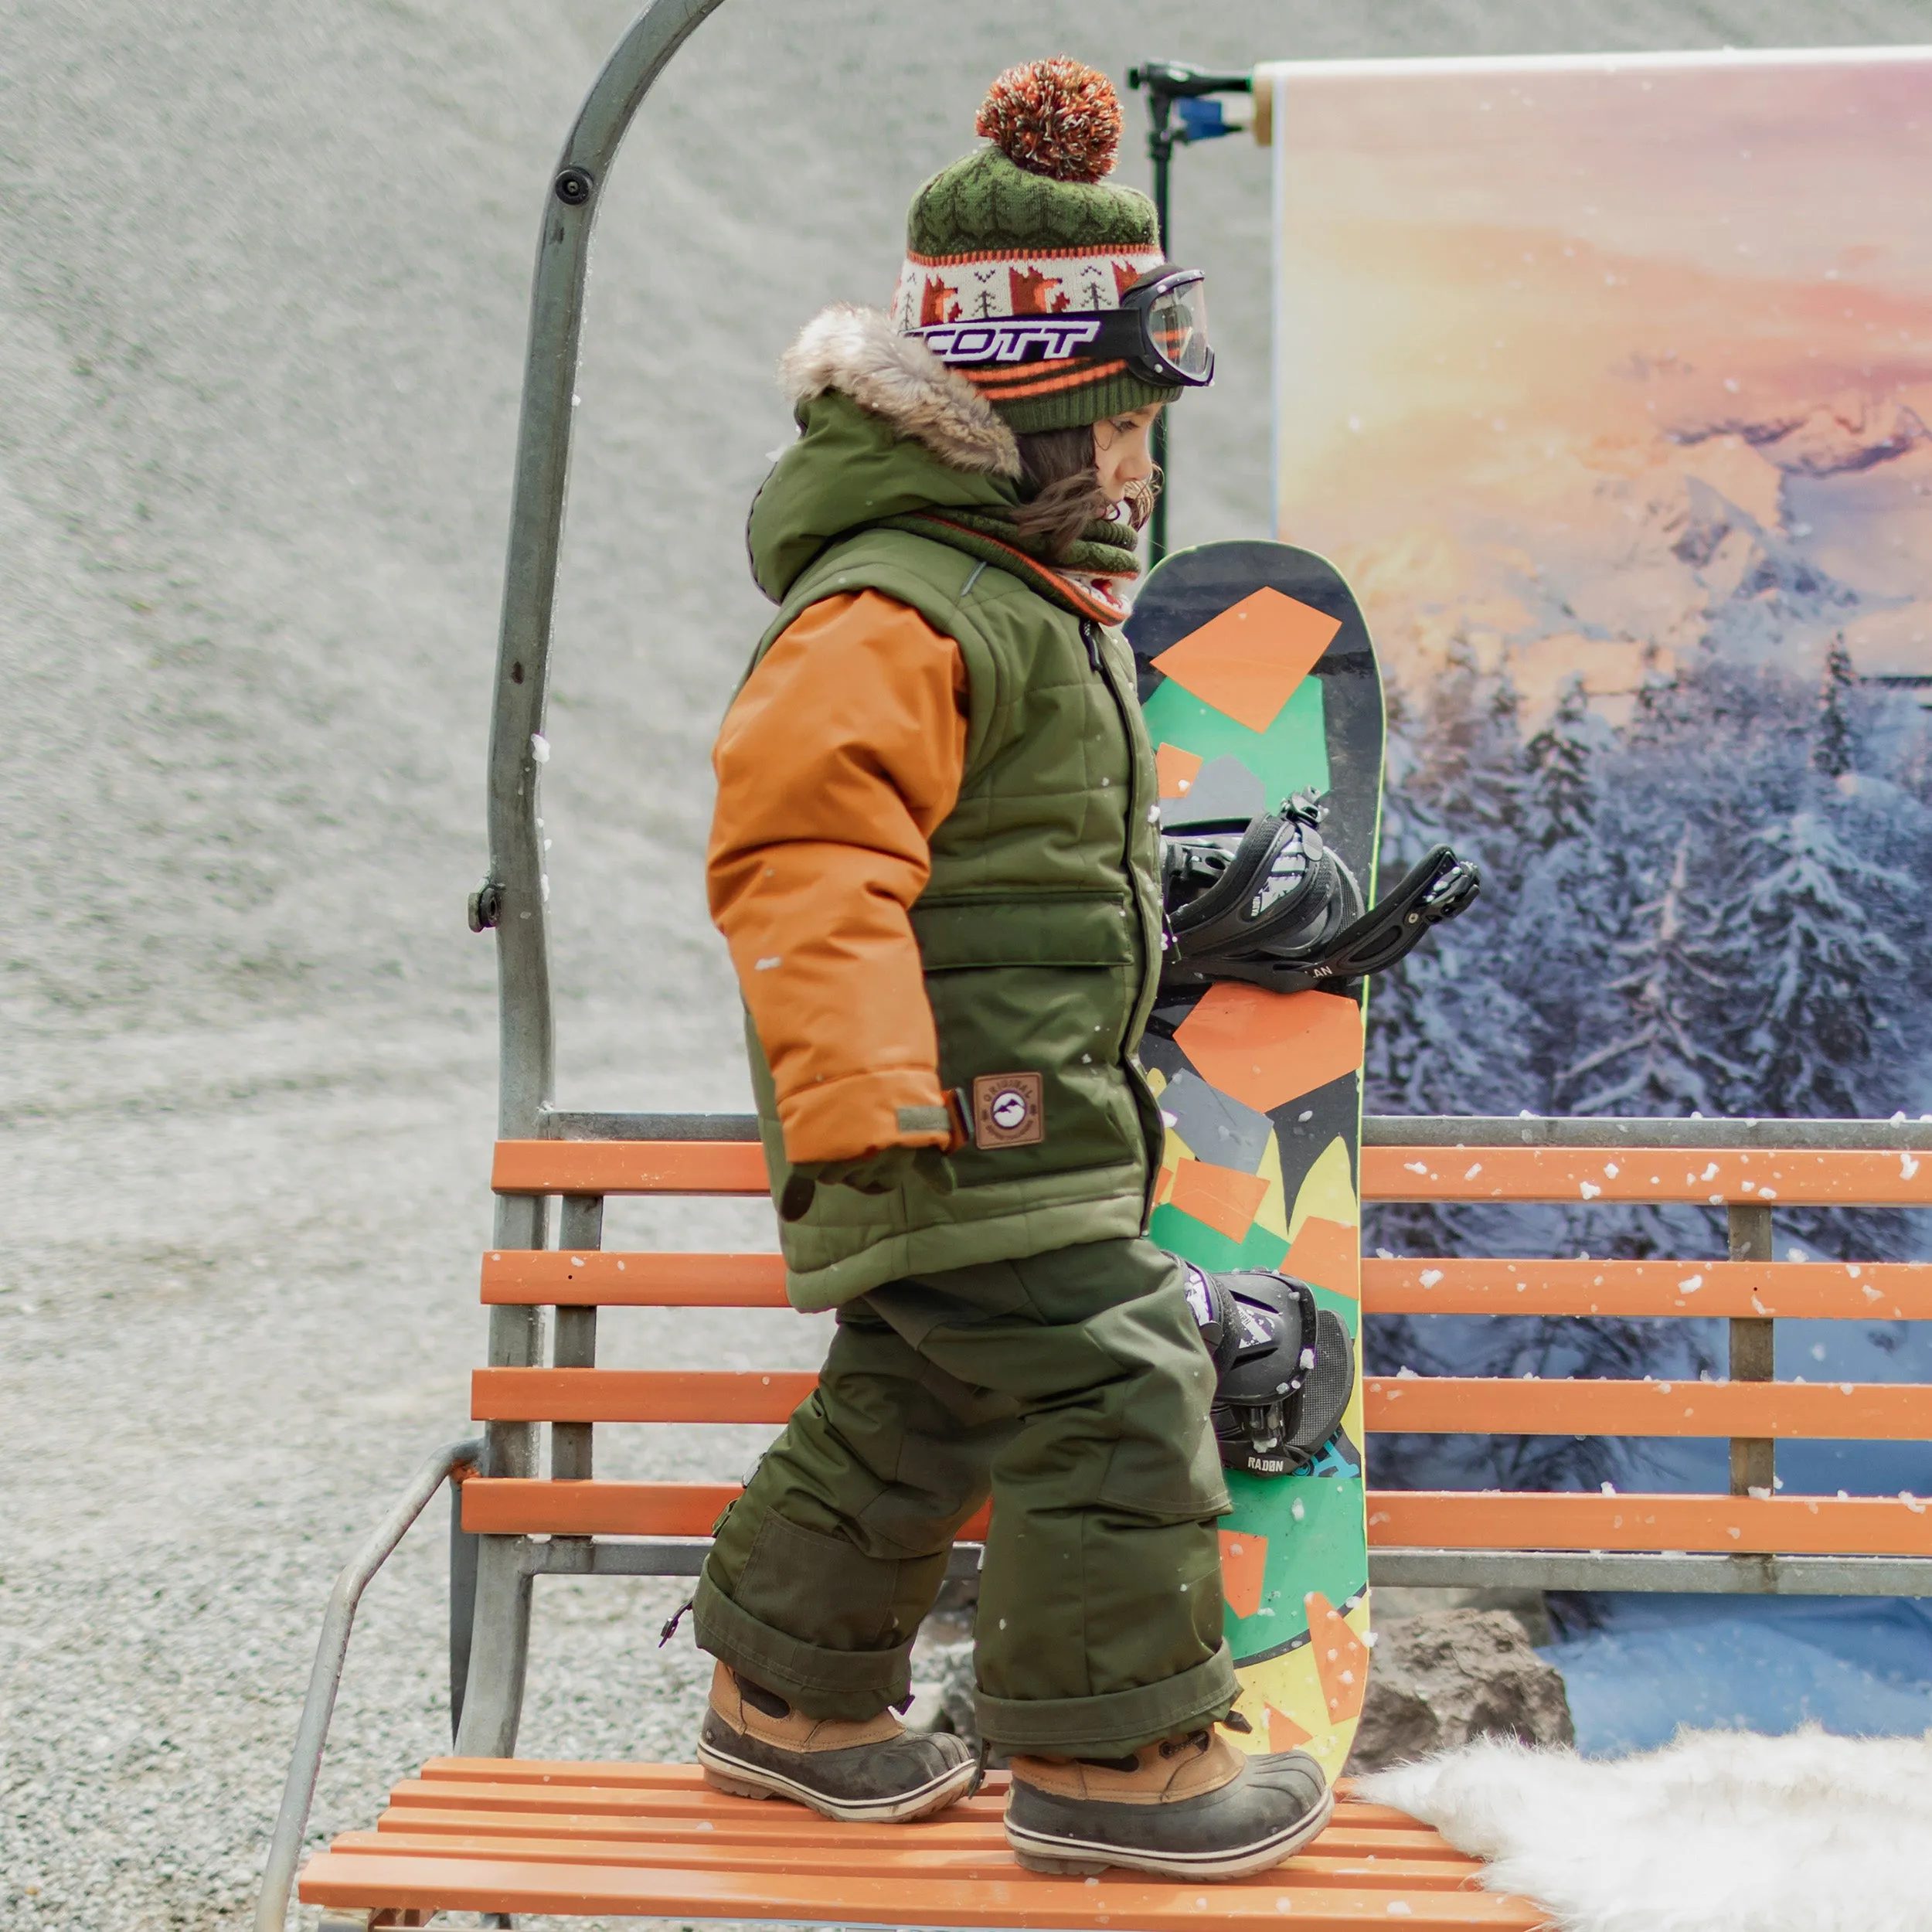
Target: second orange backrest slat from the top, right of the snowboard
[{"x": 1819, "y": 1292}]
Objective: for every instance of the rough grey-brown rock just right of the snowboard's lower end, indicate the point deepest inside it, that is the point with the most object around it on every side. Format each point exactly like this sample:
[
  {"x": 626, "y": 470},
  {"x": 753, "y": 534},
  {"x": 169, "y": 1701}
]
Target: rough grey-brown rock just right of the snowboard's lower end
[{"x": 1460, "y": 1674}]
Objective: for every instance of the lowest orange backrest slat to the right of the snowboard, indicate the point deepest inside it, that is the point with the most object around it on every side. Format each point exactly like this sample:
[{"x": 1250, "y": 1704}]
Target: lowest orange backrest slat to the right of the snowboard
[{"x": 1720, "y": 1525}]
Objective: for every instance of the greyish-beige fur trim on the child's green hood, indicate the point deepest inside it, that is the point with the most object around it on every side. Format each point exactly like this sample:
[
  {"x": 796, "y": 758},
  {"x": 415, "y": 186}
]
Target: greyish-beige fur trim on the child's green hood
[{"x": 899, "y": 378}]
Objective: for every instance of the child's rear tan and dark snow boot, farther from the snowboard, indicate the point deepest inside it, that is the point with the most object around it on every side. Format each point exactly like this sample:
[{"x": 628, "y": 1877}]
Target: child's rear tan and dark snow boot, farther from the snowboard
[{"x": 754, "y": 1746}]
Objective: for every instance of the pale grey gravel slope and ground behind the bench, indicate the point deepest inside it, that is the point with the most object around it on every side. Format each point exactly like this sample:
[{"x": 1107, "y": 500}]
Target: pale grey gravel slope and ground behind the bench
[{"x": 264, "y": 300}]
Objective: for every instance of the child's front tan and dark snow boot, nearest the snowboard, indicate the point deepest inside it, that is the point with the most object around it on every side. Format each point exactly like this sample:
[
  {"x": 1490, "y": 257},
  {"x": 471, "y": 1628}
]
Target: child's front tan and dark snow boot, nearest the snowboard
[{"x": 1187, "y": 1807}]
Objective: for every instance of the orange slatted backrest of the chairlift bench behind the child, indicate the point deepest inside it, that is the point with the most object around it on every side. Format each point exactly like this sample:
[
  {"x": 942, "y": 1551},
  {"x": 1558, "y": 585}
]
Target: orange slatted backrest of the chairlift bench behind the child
[{"x": 1753, "y": 1411}]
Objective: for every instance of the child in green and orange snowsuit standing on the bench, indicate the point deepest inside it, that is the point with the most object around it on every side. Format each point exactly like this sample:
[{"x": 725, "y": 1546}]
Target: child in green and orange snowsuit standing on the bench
[{"x": 936, "y": 861}]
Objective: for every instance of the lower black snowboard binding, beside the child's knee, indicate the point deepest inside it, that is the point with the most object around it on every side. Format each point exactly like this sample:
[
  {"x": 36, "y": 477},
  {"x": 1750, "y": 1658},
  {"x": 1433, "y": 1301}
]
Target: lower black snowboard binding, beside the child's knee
[{"x": 1284, "y": 1369}]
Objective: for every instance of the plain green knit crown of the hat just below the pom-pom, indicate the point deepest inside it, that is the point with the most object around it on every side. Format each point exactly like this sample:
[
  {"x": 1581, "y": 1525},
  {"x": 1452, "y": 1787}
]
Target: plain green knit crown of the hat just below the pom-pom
[{"x": 988, "y": 206}]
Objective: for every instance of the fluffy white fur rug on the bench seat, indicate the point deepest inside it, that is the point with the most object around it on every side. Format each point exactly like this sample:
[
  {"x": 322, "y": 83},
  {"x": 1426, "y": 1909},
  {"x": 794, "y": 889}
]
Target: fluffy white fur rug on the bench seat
[{"x": 1719, "y": 1833}]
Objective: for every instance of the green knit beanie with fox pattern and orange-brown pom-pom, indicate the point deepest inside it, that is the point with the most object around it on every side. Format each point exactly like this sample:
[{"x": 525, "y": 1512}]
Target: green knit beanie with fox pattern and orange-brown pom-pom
[{"x": 1027, "y": 227}]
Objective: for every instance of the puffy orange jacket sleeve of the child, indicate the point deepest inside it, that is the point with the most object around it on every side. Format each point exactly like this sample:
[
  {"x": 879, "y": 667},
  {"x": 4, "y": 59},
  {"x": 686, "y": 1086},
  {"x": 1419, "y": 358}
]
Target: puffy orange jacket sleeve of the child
[{"x": 838, "y": 760}]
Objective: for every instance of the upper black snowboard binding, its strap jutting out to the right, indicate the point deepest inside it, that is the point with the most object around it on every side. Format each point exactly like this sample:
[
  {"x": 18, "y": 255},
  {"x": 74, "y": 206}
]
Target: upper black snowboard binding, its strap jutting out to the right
[{"x": 1274, "y": 905}]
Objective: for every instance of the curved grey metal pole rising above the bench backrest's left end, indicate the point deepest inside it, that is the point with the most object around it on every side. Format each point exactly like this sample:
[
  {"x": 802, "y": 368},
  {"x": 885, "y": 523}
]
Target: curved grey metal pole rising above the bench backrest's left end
[{"x": 513, "y": 899}]
